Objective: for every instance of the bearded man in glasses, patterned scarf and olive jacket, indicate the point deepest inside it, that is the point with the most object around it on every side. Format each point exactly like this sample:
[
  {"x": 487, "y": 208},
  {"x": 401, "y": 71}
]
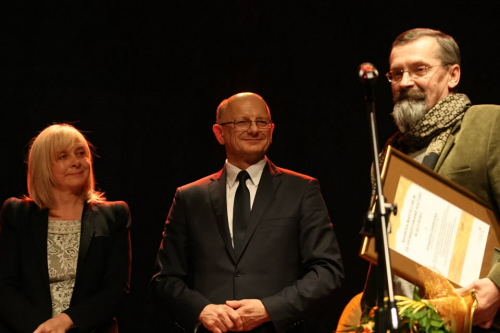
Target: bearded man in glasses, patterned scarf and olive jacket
[{"x": 440, "y": 128}]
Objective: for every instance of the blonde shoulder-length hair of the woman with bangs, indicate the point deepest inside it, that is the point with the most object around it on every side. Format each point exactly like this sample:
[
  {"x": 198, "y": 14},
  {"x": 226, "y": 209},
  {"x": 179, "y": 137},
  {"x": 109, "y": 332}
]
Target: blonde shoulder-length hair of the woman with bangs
[{"x": 42, "y": 154}]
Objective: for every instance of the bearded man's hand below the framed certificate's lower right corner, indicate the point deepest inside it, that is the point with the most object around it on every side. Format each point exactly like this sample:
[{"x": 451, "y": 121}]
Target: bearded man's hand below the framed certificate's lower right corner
[{"x": 488, "y": 301}]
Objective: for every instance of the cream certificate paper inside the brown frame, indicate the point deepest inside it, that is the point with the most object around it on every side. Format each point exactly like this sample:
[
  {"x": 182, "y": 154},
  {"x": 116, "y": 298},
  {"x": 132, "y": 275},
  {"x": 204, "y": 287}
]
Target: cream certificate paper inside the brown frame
[{"x": 436, "y": 234}]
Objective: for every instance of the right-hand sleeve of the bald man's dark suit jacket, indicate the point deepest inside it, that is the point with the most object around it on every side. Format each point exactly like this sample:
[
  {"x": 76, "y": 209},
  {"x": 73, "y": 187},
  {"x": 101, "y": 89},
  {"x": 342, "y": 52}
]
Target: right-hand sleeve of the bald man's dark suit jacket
[{"x": 322, "y": 262}]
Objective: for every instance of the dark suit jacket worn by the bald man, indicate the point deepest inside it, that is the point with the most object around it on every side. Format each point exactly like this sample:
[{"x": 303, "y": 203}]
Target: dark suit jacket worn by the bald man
[{"x": 290, "y": 260}]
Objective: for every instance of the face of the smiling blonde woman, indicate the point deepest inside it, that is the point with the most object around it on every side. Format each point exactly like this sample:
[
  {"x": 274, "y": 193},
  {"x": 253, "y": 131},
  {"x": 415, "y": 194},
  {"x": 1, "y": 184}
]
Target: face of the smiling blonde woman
[{"x": 71, "y": 167}]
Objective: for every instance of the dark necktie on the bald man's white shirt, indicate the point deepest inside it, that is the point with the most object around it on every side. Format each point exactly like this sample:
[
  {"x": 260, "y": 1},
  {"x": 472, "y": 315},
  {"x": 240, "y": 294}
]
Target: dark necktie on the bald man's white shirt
[{"x": 241, "y": 211}]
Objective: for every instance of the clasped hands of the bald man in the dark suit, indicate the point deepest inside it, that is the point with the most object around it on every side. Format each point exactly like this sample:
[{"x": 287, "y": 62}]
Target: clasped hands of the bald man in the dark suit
[{"x": 237, "y": 316}]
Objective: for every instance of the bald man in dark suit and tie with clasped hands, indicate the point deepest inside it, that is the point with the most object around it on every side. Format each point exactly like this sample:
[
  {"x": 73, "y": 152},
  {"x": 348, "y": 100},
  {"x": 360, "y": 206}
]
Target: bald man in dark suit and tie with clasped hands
[{"x": 278, "y": 274}]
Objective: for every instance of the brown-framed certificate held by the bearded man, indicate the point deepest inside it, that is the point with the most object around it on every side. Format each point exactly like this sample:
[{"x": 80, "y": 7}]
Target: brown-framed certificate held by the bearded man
[{"x": 438, "y": 224}]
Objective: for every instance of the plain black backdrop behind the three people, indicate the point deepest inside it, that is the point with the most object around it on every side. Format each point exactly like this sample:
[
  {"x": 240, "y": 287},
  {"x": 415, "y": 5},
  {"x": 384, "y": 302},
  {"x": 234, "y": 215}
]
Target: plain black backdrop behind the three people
[{"x": 142, "y": 79}]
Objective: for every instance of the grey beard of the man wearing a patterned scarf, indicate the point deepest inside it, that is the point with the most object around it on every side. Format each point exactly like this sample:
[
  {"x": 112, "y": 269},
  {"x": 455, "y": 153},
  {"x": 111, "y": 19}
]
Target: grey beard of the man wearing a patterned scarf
[{"x": 409, "y": 108}]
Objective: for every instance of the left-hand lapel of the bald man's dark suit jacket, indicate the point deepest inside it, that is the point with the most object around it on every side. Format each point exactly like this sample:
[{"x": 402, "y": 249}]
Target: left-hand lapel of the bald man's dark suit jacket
[{"x": 217, "y": 193}]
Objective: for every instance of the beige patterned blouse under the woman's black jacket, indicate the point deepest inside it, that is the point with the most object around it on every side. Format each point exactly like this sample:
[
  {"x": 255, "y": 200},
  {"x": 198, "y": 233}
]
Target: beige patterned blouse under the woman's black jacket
[{"x": 63, "y": 242}]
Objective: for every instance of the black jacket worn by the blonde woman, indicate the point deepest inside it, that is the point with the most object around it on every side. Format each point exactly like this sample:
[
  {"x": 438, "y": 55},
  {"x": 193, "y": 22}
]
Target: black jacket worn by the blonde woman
[{"x": 103, "y": 269}]
